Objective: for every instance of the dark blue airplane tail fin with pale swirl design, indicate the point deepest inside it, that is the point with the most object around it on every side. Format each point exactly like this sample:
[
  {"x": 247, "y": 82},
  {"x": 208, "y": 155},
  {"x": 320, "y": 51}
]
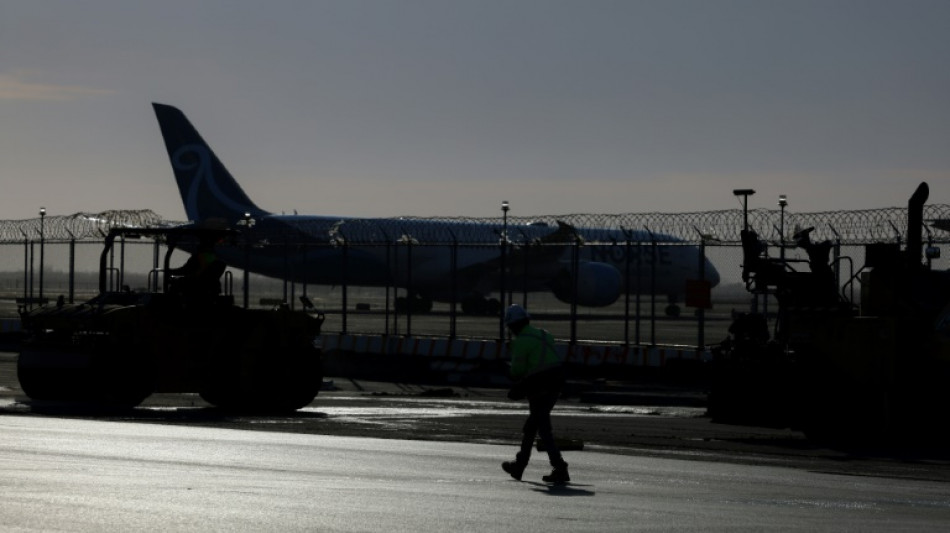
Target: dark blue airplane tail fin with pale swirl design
[{"x": 208, "y": 190}]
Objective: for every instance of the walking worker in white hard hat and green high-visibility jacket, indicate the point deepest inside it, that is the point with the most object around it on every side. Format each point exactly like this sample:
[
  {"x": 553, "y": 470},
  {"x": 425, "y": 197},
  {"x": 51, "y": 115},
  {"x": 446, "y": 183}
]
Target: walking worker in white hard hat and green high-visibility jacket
[{"x": 539, "y": 377}]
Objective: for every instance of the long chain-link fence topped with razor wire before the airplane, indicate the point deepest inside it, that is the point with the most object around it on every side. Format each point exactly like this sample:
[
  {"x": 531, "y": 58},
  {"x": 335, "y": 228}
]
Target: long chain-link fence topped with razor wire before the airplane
[{"x": 51, "y": 257}]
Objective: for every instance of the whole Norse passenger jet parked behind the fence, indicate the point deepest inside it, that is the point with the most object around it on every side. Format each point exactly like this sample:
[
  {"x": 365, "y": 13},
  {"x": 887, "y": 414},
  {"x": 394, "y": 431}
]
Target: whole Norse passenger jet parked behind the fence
[{"x": 382, "y": 252}]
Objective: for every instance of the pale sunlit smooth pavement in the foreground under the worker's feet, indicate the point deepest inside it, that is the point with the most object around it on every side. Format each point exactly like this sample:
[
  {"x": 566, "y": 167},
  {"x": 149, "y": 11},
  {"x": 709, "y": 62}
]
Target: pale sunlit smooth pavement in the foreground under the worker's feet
[{"x": 90, "y": 475}]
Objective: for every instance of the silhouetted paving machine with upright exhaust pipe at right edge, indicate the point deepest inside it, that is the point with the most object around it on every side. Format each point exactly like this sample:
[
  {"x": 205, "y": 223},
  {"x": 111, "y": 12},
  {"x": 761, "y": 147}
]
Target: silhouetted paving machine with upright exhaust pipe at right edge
[{"x": 867, "y": 373}]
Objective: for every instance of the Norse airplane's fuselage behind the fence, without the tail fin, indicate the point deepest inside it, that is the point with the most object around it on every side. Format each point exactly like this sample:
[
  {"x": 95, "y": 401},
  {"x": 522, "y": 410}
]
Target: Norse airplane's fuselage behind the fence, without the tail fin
[{"x": 368, "y": 252}]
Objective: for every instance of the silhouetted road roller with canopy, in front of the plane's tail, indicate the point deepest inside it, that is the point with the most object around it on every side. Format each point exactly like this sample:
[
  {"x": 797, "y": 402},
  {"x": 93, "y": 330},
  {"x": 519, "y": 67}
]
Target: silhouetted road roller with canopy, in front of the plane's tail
[{"x": 180, "y": 335}]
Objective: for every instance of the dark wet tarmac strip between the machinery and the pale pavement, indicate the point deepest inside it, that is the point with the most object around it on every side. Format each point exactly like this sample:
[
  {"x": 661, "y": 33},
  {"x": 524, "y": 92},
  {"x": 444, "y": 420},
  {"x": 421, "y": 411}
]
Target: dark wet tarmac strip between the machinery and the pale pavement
[{"x": 628, "y": 418}]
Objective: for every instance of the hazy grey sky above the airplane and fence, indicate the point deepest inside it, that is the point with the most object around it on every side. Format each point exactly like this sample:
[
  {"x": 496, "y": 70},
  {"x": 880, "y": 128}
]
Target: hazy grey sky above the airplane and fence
[{"x": 442, "y": 107}]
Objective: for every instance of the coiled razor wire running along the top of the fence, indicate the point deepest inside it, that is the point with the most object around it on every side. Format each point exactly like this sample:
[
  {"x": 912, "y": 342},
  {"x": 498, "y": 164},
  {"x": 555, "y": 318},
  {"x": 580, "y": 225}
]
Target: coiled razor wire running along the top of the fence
[{"x": 847, "y": 227}]
